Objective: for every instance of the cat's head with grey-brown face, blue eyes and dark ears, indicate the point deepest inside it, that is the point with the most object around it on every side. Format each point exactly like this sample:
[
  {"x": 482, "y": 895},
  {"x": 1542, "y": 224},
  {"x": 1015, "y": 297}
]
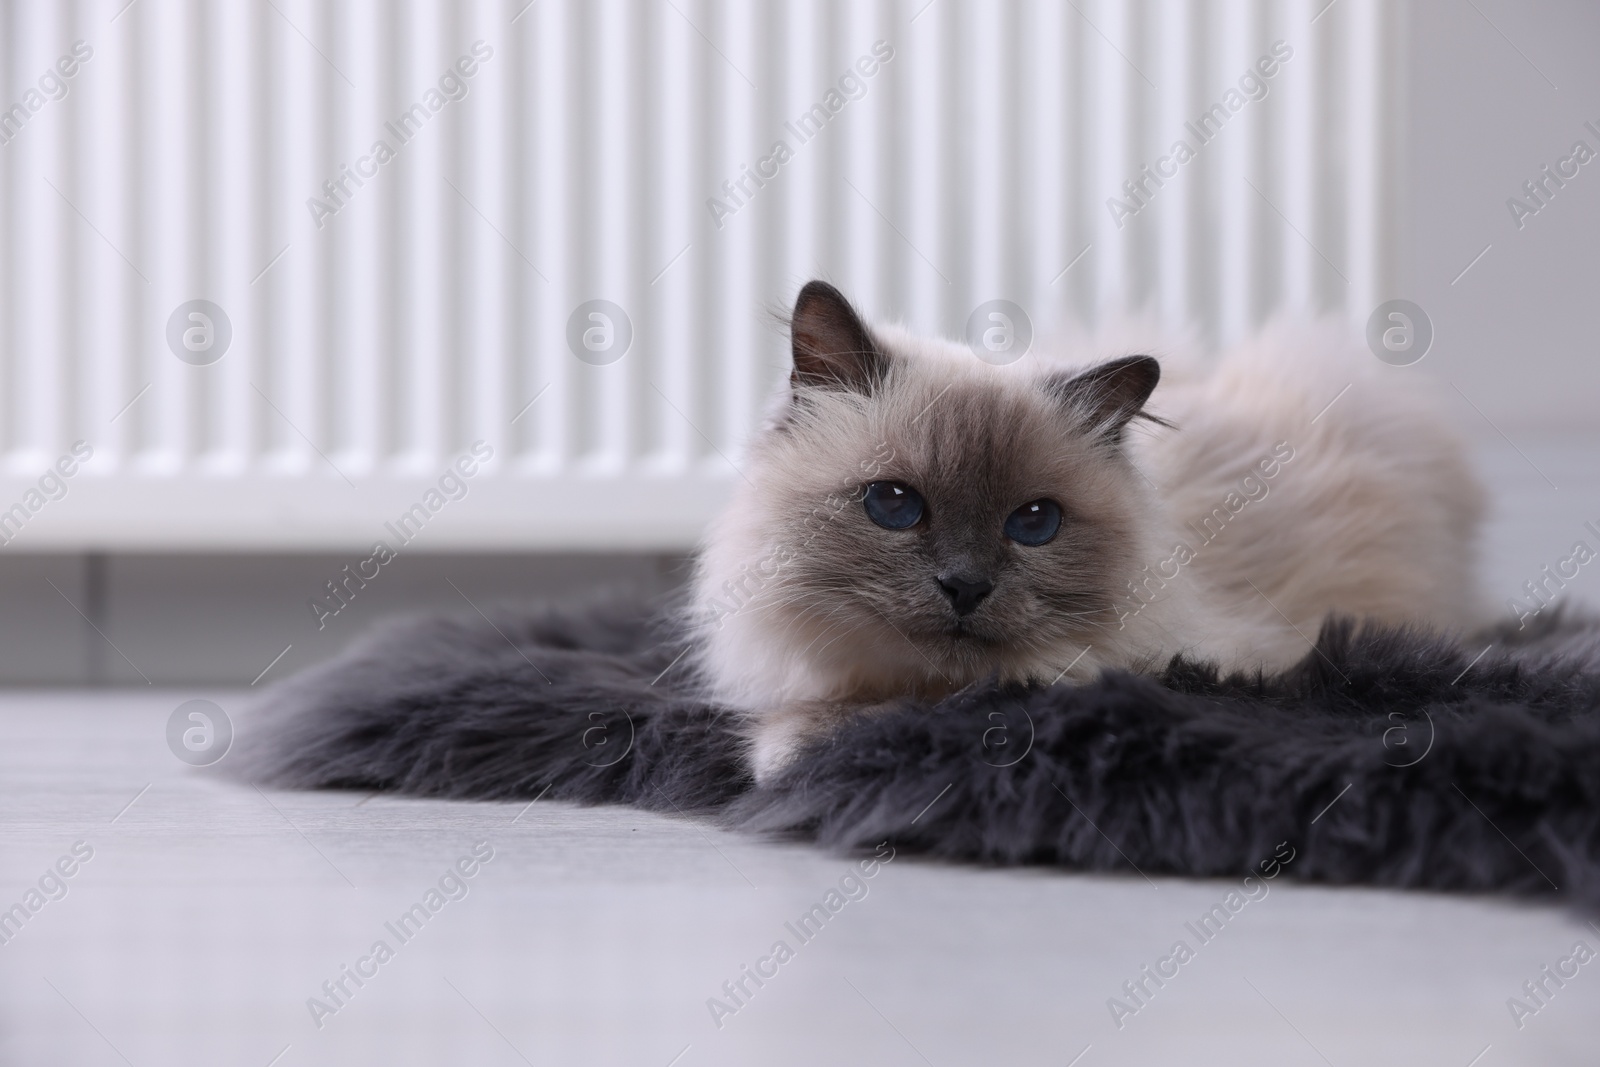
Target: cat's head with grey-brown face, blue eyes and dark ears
[{"x": 916, "y": 519}]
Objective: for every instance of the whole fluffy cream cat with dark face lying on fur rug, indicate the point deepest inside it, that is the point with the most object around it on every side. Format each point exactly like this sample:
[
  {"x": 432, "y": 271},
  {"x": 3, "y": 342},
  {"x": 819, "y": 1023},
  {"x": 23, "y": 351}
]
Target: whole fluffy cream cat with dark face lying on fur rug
[{"x": 914, "y": 519}]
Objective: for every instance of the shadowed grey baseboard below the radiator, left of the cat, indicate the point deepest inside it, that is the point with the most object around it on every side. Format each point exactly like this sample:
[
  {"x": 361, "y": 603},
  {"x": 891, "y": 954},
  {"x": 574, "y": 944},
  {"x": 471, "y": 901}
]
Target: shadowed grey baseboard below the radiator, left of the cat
[{"x": 126, "y": 620}]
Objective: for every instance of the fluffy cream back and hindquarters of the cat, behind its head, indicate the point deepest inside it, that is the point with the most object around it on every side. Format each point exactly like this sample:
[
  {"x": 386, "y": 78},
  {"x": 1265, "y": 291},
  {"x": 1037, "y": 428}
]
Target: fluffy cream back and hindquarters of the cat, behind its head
[{"x": 1375, "y": 518}]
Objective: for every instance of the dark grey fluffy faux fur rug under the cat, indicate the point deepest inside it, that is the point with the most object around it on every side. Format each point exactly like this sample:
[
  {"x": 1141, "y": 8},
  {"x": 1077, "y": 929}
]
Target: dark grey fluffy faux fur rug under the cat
[{"x": 1386, "y": 757}]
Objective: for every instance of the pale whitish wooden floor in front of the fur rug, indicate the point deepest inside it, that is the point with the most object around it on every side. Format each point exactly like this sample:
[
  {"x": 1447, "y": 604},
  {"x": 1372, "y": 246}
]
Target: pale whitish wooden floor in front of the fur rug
[{"x": 209, "y": 916}]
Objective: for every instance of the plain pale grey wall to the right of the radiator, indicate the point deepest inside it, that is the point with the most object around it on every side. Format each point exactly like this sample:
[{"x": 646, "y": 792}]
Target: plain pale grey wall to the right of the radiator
[{"x": 1519, "y": 334}]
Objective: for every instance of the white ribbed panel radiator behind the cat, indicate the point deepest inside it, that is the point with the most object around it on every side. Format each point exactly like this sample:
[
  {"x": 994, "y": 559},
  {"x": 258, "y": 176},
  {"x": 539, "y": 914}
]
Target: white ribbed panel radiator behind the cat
[{"x": 606, "y": 151}]
